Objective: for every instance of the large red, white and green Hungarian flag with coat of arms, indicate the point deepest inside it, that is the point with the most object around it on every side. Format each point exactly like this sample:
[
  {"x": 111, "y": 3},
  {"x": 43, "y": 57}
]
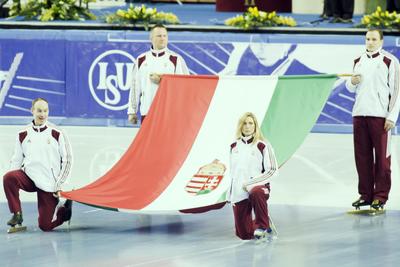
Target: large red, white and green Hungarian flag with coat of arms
[{"x": 179, "y": 159}]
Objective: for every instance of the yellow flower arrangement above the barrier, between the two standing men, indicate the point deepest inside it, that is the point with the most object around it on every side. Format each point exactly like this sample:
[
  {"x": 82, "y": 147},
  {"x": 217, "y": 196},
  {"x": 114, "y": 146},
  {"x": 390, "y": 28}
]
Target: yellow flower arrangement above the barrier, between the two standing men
[{"x": 253, "y": 18}]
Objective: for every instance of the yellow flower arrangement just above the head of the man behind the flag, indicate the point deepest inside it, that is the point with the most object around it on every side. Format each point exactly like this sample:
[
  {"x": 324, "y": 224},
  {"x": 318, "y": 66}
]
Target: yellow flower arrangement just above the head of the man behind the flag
[{"x": 142, "y": 15}]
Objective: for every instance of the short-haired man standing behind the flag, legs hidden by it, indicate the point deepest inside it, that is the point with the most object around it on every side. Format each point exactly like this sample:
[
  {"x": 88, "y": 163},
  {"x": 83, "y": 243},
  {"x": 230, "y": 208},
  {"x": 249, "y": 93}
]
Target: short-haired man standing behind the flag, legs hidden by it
[{"x": 148, "y": 71}]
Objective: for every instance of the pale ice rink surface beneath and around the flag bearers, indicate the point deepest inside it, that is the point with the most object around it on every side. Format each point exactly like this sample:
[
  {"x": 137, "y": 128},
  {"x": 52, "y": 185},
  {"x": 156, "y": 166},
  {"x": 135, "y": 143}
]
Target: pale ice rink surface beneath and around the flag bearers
[{"x": 308, "y": 204}]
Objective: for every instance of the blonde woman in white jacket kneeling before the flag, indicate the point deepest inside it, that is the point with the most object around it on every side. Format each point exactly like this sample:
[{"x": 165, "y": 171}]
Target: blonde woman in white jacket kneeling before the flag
[{"x": 253, "y": 163}]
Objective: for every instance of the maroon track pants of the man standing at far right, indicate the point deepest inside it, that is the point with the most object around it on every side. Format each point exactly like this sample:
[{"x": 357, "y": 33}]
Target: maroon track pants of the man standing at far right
[{"x": 372, "y": 160}]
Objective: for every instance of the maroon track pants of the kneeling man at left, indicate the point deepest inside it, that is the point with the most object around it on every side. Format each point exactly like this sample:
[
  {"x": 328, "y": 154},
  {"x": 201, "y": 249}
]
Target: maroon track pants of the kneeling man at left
[{"x": 13, "y": 181}]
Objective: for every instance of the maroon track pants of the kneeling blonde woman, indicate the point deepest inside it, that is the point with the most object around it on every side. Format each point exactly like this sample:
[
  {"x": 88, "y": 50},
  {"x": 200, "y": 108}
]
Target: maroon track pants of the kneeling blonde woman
[{"x": 242, "y": 212}]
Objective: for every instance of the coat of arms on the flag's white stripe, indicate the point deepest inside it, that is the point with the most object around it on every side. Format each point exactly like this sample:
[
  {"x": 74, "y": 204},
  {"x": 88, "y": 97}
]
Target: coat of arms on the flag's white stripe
[{"x": 206, "y": 179}]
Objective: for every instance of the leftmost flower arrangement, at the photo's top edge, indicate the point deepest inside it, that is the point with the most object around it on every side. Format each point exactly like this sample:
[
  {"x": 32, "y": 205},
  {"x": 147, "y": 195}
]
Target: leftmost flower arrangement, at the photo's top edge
[{"x": 47, "y": 10}]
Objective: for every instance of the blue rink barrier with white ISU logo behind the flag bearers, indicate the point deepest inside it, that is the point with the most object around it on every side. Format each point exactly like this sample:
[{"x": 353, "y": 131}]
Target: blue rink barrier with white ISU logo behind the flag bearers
[{"x": 86, "y": 75}]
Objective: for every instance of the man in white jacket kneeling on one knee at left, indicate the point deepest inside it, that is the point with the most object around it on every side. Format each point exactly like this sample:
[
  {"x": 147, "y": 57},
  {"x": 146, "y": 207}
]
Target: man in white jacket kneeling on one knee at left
[{"x": 41, "y": 163}]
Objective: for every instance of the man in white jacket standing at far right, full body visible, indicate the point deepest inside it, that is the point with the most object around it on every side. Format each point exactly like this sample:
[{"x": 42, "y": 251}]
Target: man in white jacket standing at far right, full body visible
[{"x": 376, "y": 83}]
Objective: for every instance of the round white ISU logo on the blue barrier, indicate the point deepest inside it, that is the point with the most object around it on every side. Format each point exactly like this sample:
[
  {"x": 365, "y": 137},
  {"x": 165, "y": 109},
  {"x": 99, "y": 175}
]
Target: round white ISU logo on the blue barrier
[{"x": 110, "y": 79}]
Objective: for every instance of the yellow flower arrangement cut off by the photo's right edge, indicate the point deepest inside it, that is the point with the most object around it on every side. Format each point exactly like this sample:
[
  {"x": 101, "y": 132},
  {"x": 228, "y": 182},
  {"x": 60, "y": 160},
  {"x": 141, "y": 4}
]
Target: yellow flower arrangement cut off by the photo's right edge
[{"x": 381, "y": 19}]
